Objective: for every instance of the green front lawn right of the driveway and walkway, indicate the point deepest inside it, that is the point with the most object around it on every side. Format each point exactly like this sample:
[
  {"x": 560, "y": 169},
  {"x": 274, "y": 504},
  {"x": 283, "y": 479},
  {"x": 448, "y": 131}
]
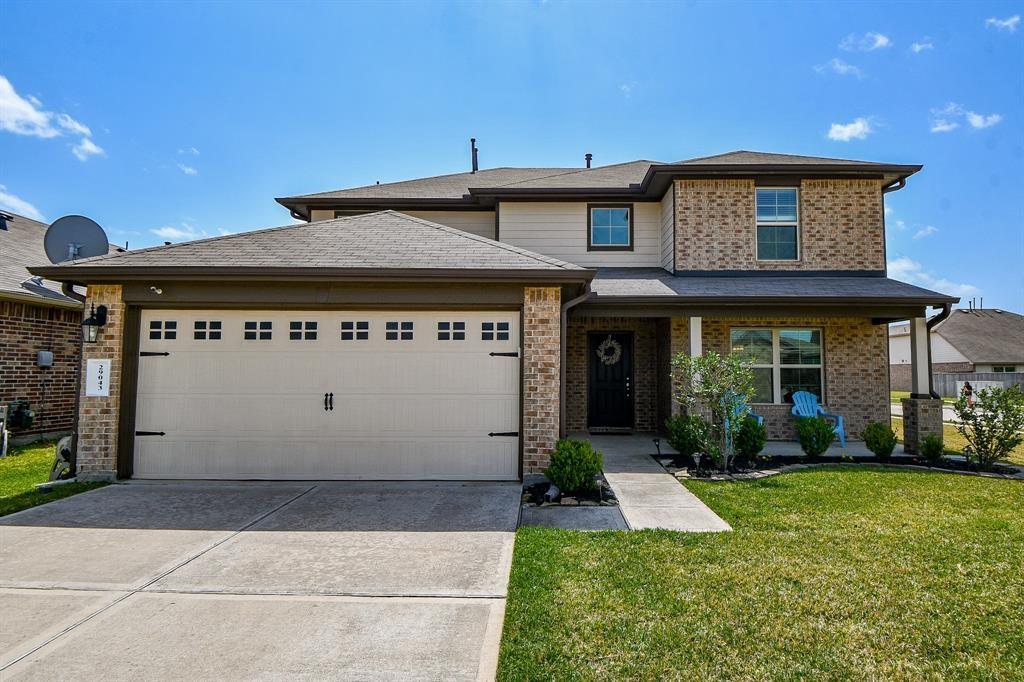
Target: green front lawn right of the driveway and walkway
[{"x": 830, "y": 574}]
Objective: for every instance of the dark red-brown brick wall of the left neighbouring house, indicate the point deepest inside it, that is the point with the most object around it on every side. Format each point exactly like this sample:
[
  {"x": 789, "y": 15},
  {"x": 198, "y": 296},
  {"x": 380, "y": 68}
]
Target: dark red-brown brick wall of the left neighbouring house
[{"x": 25, "y": 330}]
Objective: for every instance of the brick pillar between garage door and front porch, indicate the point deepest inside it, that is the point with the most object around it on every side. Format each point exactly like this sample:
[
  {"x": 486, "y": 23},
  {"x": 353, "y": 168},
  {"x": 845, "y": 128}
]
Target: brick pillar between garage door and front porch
[{"x": 541, "y": 375}]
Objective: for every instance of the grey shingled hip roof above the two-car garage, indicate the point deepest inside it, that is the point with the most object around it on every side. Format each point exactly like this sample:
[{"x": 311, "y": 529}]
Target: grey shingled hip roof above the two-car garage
[{"x": 370, "y": 246}]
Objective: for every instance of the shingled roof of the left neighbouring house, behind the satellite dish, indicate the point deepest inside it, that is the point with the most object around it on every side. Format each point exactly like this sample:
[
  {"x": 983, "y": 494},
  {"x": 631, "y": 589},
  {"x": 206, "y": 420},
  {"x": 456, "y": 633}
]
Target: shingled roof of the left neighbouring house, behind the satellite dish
[{"x": 22, "y": 247}]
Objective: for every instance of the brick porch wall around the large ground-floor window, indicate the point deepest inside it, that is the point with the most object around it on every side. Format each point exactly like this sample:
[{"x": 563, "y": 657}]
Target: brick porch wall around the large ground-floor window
[{"x": 857, "y": 367}]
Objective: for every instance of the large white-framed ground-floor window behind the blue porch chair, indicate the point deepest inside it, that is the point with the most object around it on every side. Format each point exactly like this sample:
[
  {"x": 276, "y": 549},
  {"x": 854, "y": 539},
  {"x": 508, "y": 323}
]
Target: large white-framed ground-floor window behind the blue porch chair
[{"x": 785, "y": 361}]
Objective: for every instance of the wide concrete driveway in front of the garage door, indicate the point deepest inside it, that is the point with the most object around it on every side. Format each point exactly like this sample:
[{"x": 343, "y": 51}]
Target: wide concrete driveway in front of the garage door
[{"x": 243, "y": 581}]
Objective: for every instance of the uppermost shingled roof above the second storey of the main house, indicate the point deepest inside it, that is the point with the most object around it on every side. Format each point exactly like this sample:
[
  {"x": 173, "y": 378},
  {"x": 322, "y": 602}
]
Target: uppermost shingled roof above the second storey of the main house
[{"x": 635, "y": 180}]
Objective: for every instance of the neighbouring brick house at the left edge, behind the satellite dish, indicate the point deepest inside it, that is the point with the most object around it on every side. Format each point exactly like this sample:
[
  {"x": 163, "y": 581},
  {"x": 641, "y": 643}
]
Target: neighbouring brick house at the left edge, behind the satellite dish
[{"x": 35, "y": 317}]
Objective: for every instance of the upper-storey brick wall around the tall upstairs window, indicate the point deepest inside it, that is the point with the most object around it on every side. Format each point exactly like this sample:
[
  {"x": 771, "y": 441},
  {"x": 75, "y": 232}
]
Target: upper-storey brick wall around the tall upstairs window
[{"x": 841, "y": 227}]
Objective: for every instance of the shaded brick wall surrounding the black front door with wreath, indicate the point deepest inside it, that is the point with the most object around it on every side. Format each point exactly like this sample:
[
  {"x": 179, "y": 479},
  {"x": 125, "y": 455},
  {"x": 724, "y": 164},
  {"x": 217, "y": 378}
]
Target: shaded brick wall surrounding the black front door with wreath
[{"x": 645, "y": 369}]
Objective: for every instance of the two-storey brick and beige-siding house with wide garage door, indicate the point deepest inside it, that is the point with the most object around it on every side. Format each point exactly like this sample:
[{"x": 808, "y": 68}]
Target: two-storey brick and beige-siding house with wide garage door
[{"x": 454, "y": 327}]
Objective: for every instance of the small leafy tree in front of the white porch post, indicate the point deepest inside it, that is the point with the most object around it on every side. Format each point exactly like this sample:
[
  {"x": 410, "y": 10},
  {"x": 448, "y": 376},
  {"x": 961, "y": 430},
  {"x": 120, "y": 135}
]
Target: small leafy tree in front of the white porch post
[{"x": 718, "y": 387}]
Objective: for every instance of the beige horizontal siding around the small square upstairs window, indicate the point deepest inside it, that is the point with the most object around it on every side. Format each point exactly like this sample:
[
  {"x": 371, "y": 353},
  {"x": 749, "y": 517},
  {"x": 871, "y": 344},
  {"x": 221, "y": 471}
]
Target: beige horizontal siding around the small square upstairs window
[{"x": 560, "y": 231}]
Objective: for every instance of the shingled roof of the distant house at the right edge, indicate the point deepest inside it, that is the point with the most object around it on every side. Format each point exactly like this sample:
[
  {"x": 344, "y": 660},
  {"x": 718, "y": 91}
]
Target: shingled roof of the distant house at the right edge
[{"x": 986, "y": 335}]
